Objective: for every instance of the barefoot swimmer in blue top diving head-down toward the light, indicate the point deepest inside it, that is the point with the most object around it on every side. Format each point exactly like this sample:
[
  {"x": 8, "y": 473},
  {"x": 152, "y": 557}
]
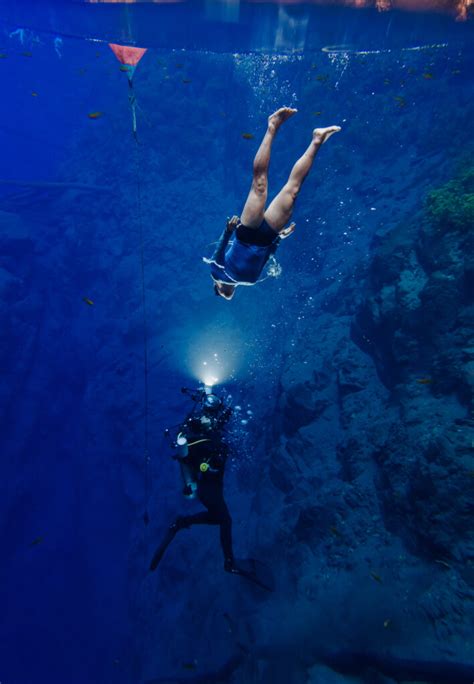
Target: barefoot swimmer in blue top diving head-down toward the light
[{"x": 259, "y": 230}]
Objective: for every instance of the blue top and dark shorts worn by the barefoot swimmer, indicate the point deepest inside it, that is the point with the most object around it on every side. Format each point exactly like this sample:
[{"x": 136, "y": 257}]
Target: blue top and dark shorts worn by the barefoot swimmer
[{"x": 241, "y": 261}]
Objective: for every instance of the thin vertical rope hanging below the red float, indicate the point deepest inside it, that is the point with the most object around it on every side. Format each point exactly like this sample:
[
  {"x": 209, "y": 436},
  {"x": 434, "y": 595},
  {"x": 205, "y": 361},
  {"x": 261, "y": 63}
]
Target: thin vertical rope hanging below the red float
[{"x": 146, "y": 453}]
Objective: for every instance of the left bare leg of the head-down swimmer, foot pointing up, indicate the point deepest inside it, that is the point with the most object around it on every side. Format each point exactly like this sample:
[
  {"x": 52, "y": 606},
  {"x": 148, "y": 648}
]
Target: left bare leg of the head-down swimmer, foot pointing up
[{"x": 253, "y": 211}]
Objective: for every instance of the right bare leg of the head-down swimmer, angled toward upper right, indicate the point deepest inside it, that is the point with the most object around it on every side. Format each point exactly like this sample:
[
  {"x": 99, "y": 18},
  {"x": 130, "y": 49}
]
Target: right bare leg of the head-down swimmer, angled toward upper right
[{"x": 279, "y": 211}]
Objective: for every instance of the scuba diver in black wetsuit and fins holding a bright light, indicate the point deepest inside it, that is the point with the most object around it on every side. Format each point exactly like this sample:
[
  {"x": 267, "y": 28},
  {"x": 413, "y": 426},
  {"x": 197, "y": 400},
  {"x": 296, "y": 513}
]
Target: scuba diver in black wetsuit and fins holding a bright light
[{"x": 202, "y": 452}]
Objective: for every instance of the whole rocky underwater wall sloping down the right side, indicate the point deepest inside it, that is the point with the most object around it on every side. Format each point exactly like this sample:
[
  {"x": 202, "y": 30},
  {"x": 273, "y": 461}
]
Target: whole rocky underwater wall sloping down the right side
[{"x": 364, "y": 504}]
